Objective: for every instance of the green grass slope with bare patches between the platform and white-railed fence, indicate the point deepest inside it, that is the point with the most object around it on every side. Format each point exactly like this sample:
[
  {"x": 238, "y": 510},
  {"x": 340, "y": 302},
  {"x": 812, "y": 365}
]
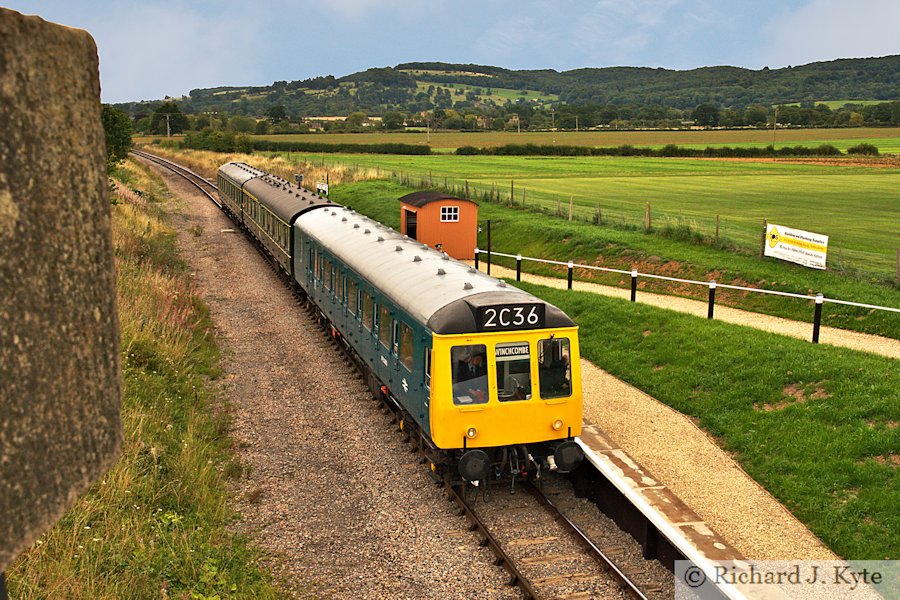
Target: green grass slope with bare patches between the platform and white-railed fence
[{"x": 817, "y": 426}]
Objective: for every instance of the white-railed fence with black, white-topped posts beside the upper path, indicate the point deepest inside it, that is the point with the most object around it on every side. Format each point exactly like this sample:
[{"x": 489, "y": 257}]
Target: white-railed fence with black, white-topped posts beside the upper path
[{"x": 819, "y": 299}]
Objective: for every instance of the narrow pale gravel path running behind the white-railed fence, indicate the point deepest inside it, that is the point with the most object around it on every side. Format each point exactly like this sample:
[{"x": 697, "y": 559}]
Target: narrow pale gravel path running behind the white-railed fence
[{"x": 827, "y": 335}]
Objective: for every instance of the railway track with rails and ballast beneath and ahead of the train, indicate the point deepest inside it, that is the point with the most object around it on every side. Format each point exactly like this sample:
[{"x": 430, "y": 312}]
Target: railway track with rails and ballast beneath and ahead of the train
[{"x": 545, "y": 552}]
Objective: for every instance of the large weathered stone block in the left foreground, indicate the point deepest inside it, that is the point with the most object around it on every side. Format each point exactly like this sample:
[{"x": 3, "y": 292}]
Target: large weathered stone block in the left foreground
[{"x": 60, "y": 382}]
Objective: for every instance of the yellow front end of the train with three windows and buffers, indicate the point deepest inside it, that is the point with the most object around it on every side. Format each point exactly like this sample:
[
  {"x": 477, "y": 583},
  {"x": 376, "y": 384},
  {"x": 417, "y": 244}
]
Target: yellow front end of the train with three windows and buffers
[{"x": 507, "y": 400}]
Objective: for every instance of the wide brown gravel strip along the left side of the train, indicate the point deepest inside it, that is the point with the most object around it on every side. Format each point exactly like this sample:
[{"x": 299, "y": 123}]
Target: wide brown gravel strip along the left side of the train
[{"x": 330, "y": 491}]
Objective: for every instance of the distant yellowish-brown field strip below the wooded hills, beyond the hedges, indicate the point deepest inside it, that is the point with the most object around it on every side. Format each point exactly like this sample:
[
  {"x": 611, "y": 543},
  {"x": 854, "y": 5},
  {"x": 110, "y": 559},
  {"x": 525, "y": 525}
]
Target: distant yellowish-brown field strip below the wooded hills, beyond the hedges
[{"x": 886, "y": 139}]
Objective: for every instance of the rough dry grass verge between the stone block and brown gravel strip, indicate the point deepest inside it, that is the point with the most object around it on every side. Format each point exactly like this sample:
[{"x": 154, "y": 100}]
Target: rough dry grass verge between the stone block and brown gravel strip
[{"x": 157, "y": 524}]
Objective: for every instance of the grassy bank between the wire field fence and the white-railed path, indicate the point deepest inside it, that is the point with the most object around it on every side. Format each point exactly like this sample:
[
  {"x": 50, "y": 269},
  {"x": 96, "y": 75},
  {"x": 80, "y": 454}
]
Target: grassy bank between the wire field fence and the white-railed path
[{"x": 537, "y": 235}]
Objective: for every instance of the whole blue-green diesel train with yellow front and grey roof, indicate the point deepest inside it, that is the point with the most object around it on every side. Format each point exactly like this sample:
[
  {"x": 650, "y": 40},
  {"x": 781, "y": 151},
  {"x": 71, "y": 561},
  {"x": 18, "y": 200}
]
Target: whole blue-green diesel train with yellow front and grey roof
[{"x": 484, "y": 376}]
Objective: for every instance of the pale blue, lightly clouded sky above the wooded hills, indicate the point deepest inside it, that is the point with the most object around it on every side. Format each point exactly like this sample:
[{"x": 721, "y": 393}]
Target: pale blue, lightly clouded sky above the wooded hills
[{"x": 150, "y": 49}]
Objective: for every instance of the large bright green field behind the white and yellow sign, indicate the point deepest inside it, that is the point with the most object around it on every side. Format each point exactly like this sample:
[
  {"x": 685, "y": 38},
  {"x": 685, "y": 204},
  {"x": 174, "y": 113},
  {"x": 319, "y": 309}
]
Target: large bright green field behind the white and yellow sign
[{"x": 857, "y": 207}]
